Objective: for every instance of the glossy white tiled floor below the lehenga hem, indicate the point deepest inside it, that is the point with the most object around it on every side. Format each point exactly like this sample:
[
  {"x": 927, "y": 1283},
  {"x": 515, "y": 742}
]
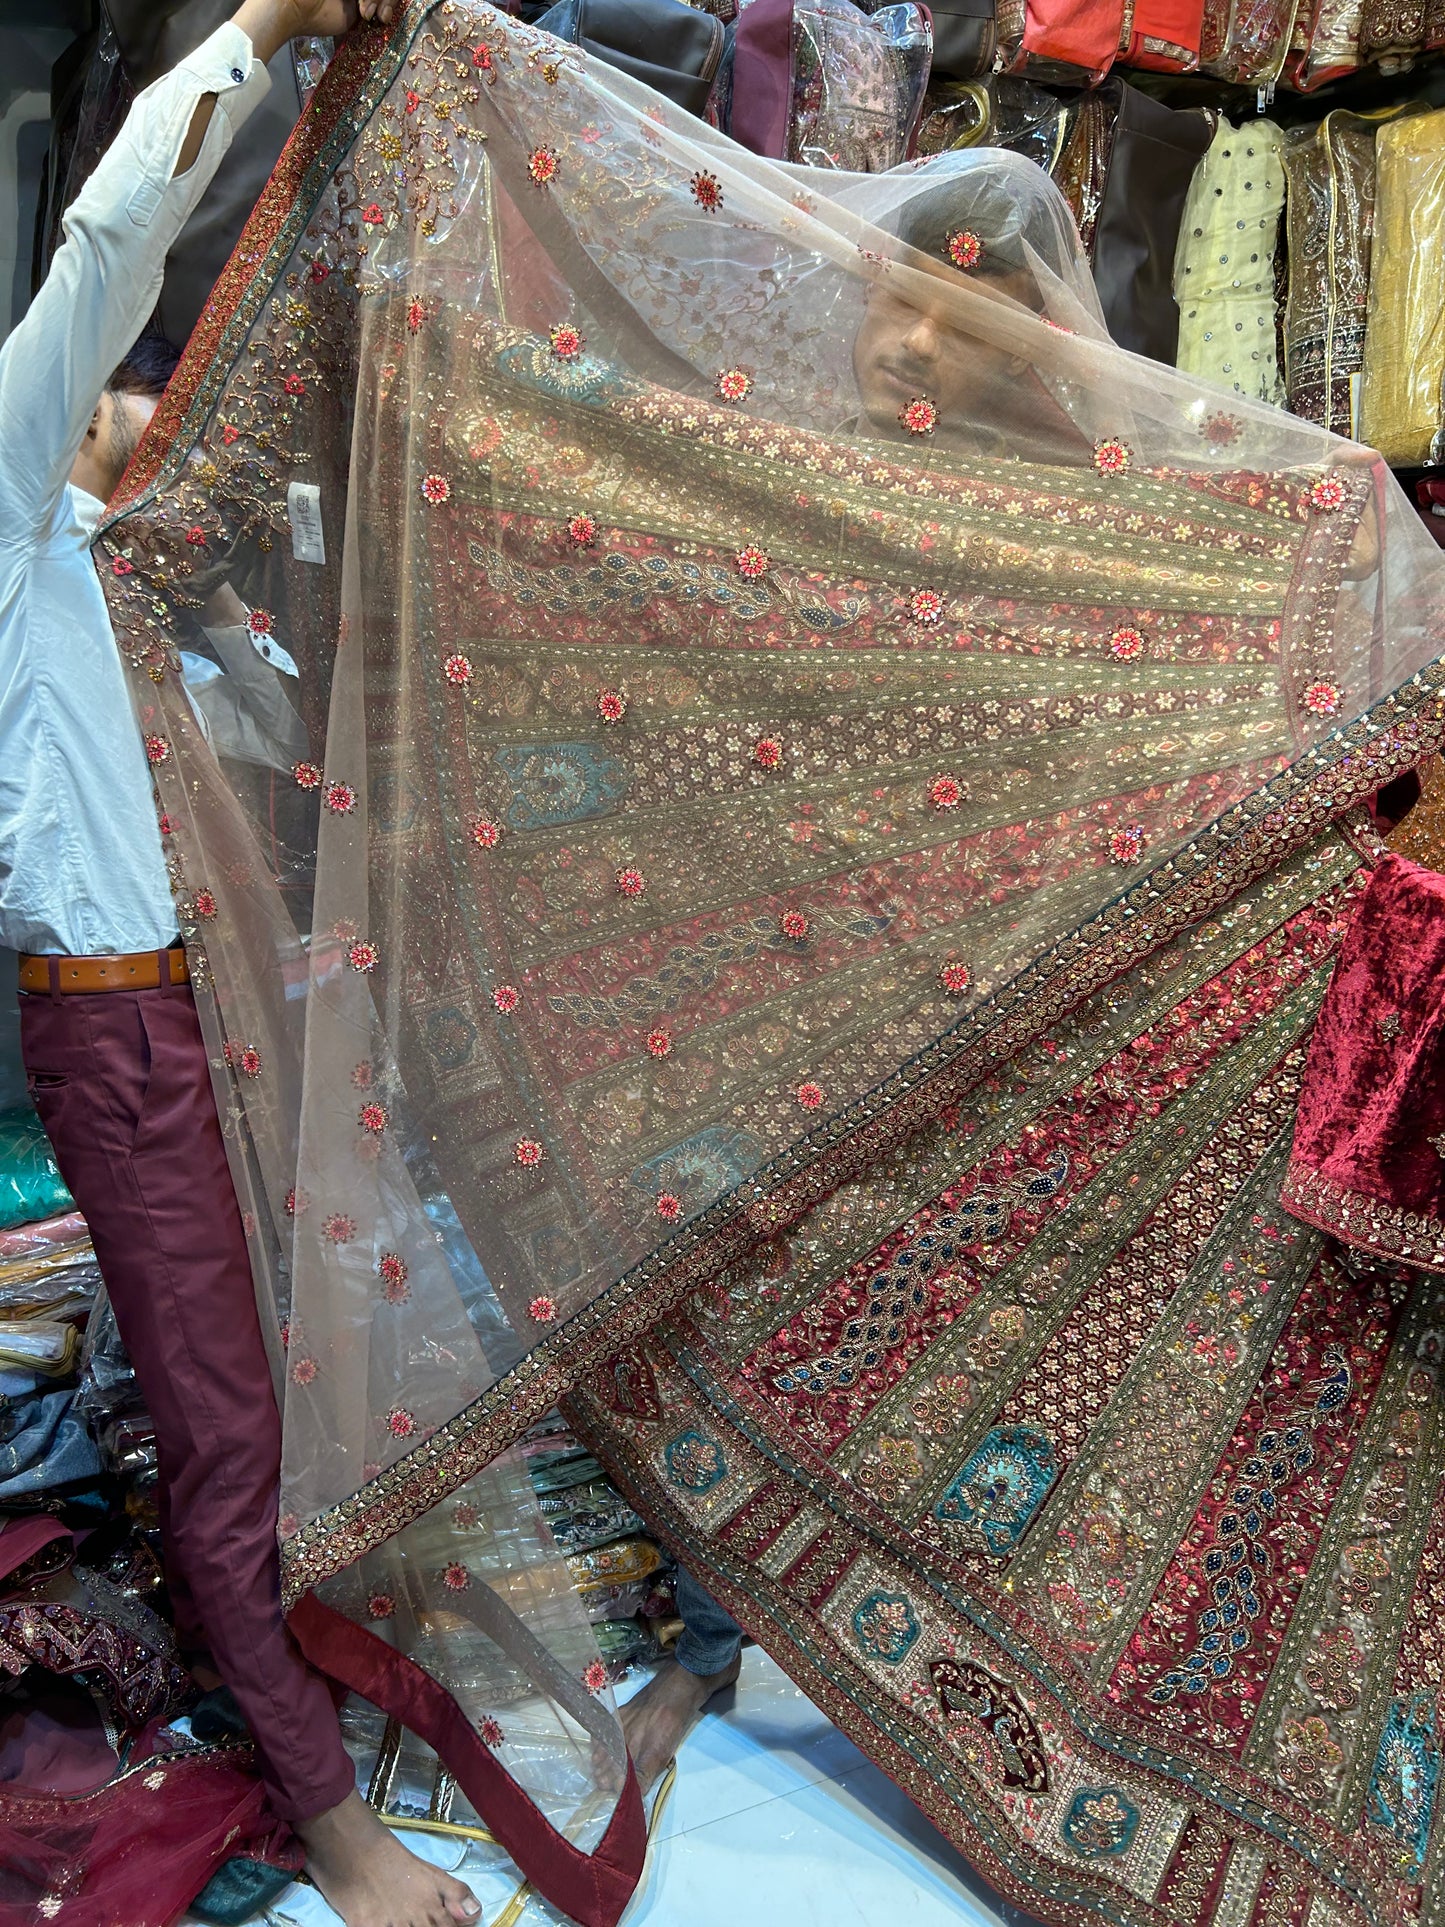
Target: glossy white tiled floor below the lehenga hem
[{"x": 775, "y": 1816}]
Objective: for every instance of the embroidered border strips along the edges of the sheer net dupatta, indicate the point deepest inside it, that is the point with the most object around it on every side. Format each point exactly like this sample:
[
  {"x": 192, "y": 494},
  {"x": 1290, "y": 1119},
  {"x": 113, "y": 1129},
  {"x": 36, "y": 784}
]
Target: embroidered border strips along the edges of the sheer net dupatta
[{"x": 1330, "y": 779}]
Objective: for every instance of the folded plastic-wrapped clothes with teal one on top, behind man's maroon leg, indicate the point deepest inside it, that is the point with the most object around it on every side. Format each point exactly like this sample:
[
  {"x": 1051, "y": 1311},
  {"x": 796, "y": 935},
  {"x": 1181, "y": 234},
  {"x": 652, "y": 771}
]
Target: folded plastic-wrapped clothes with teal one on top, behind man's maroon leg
[{"x": 49, "y": 1282}]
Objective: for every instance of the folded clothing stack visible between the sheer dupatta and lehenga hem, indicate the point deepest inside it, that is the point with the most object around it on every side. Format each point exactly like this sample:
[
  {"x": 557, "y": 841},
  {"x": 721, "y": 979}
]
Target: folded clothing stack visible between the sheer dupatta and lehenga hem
[{"x": 621, "y": 1575}]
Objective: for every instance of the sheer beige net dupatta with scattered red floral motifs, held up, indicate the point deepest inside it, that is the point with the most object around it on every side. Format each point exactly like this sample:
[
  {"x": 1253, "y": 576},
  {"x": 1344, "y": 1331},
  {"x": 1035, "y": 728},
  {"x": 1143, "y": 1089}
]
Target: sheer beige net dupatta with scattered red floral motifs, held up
[{"x": 735, "y": 726}]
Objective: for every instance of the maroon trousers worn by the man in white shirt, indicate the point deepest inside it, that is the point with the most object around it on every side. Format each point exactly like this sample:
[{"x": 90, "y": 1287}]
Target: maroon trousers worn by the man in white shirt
[{"x": 124, "y": 1090}]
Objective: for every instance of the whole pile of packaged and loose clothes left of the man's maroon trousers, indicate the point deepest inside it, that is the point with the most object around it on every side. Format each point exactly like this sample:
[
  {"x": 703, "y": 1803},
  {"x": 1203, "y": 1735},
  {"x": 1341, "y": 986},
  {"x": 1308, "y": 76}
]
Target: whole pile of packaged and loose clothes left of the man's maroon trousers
[{"x": 90, "y": 1674}]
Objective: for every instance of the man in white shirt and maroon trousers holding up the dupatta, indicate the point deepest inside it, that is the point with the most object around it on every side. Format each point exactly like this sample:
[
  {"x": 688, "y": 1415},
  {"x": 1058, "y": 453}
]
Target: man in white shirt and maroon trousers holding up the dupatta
[{"x": 113, "y": 1047}]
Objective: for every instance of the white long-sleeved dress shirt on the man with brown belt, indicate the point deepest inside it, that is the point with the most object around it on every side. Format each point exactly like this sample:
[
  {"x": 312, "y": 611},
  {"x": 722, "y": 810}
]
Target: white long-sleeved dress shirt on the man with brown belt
[{"x": 82, "y": 866}]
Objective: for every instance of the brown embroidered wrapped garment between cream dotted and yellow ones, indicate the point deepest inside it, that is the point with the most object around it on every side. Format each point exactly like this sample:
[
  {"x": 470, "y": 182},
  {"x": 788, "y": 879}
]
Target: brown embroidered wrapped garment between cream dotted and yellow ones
[{"x": 1330, "y": 217}]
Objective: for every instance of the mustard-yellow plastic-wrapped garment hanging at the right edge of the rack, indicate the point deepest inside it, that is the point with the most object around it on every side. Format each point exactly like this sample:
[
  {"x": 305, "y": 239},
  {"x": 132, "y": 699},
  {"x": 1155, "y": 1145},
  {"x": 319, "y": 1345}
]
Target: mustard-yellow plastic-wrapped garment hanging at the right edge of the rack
[{"x": 1402, "y": 408}]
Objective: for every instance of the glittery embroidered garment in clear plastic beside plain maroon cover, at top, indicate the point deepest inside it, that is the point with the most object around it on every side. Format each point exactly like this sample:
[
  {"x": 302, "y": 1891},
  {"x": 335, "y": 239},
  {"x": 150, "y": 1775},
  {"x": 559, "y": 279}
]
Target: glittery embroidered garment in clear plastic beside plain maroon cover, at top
[{"x": 858, "y": 86}]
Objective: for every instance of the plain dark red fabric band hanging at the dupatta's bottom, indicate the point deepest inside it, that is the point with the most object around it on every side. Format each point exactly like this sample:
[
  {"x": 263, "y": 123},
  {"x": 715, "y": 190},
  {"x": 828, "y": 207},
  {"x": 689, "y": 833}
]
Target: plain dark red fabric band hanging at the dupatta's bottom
[{"x": 594, "y": 1887}]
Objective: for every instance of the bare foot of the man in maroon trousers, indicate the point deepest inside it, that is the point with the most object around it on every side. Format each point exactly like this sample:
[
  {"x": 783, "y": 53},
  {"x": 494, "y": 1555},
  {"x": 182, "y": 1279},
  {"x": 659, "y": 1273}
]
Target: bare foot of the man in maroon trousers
[{"x": 371, "y": 1880}]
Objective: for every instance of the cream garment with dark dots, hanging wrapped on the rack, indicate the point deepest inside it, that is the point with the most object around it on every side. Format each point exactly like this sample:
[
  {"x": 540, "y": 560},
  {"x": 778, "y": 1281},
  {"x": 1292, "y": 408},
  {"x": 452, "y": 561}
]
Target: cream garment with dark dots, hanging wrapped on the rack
[{"x": 1224, "y": 275}]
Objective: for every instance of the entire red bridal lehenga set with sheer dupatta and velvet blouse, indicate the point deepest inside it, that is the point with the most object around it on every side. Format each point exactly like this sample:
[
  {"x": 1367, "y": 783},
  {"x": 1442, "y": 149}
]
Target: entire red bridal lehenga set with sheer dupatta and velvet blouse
[{"x": 802, "y": 932}]
